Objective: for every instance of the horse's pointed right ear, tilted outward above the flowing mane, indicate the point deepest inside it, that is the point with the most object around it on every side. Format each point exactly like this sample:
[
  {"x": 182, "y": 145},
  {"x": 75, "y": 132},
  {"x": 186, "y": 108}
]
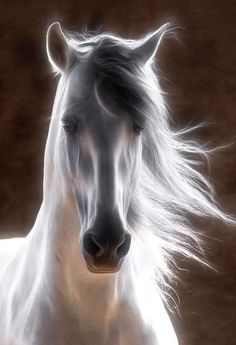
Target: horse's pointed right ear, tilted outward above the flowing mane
[{"x": 148, "y": 48}]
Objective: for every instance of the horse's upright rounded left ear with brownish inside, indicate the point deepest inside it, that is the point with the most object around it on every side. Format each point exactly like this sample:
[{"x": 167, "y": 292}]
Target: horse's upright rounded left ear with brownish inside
[{"x": 58, "y": 50}]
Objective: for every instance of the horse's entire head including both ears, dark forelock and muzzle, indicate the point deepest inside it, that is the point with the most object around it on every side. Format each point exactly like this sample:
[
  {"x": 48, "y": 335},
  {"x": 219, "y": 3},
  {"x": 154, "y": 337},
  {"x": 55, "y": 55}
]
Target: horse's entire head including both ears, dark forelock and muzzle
[{"x": 102, "y": 146}]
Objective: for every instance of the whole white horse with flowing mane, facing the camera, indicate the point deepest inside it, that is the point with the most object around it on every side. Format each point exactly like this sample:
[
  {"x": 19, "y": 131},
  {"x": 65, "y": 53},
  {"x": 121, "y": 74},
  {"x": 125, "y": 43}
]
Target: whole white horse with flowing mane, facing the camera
[{"x": 118, "y": 184}]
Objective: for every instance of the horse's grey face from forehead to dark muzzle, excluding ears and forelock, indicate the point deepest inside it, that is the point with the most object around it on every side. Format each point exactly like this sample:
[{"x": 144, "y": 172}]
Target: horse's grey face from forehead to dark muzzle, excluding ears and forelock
[{"x": 102, "y": 149}]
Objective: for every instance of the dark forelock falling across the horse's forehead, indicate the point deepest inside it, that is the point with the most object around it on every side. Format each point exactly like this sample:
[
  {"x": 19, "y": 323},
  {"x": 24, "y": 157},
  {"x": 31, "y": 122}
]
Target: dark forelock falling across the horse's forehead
[{"x": 119, "y": 74}]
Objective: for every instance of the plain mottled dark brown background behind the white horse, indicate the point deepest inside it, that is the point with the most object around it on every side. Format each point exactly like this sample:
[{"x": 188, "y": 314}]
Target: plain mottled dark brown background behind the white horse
[{"x": 198, "y": 72}]
